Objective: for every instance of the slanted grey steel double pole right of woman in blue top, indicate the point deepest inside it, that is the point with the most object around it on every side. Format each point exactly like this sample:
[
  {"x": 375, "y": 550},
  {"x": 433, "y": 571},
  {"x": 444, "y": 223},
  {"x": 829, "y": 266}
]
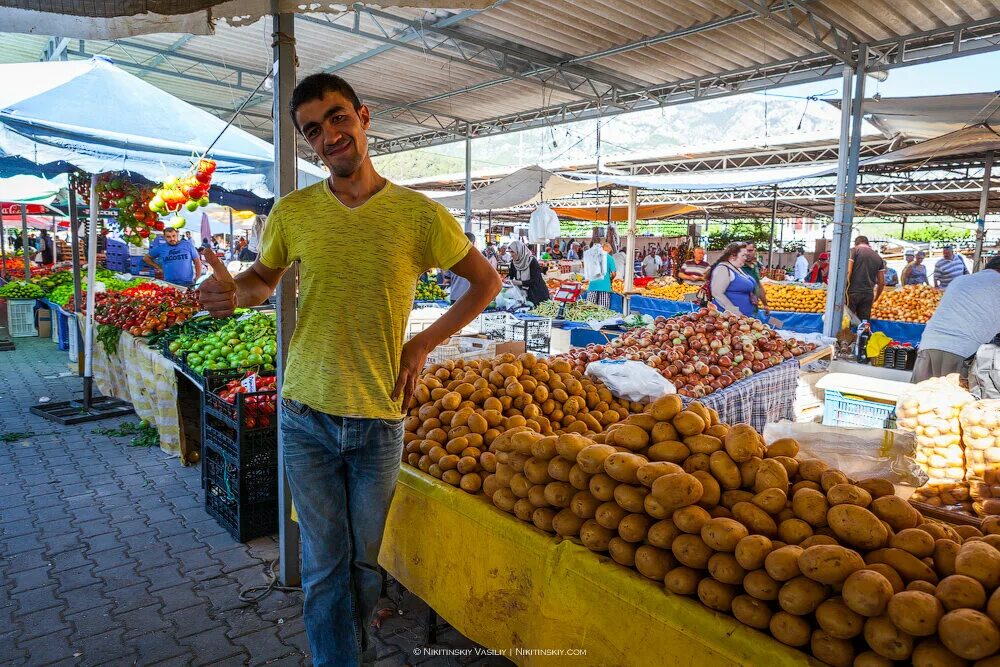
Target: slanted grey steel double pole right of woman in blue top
[{"x": 847, "y": 179}]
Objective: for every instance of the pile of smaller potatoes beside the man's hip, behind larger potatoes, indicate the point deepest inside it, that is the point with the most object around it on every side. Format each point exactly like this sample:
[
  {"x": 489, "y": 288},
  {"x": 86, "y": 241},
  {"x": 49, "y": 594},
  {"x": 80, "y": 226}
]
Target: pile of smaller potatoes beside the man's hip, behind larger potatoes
[{"x": 459, "y": 408}]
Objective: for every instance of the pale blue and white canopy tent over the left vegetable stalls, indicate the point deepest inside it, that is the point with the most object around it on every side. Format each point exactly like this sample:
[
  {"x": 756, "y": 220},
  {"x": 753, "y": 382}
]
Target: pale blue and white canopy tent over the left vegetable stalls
[{"x": 58, "y": 111}]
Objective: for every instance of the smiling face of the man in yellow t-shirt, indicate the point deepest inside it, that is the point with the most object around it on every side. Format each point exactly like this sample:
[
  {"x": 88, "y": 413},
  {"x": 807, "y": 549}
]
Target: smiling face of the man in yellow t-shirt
[{"x": 336, "y": 132}]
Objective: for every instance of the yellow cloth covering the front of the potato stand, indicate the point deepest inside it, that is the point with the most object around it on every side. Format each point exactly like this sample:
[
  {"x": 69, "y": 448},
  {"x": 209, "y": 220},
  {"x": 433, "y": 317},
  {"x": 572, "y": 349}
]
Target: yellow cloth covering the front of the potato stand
[{"x": 507, "y": 585}]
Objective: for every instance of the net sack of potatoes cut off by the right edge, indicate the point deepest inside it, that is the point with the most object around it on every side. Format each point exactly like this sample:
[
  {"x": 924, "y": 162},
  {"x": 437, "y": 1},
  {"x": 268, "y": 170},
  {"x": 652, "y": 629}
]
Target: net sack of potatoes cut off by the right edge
[{"x": 981, "y": 437}]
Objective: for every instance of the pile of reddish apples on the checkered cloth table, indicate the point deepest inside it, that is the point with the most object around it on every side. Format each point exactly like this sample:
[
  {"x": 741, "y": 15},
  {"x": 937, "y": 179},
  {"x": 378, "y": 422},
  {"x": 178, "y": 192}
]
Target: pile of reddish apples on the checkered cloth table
[{"x": 699, "y": 352}]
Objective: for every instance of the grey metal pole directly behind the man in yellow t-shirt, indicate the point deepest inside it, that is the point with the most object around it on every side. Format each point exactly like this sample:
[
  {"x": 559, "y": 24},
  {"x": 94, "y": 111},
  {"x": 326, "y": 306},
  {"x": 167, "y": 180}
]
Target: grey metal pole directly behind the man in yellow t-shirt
[{"x": 283, "y": 46}]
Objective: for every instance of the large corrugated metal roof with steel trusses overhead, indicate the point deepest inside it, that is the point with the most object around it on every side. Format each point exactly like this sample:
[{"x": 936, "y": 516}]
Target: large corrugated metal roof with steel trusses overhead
[{"x": 435, "y": 76}]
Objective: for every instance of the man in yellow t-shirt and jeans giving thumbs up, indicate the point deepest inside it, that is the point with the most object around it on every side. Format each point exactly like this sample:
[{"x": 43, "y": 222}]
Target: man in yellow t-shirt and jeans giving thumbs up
[{"x": 361, "y": 243}]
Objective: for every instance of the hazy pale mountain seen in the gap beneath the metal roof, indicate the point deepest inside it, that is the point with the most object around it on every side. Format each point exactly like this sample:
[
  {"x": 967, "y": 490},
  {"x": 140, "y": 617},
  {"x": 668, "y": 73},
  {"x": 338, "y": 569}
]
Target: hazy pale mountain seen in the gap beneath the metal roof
[{"x": 696, "y": 127}]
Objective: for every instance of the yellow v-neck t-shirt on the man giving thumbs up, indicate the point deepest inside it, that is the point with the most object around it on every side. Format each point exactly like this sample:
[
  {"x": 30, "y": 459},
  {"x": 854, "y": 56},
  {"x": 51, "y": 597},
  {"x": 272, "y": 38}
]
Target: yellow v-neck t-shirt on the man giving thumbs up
[{"x": 358, "y": 271}]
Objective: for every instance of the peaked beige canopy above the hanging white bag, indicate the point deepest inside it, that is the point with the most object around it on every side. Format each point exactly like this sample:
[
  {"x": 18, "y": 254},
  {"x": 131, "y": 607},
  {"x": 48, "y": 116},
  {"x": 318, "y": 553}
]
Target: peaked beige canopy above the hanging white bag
[{"x": 530, "y": 185}]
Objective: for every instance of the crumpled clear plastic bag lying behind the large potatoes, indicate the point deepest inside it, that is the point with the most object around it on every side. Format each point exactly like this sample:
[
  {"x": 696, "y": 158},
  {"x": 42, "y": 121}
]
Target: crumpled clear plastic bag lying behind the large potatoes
[{"x": 861, "y": 453}]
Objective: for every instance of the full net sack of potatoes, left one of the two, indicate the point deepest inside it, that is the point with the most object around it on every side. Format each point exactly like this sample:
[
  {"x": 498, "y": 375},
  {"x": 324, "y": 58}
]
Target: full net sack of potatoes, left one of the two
[{"x": 931, "y": 411}]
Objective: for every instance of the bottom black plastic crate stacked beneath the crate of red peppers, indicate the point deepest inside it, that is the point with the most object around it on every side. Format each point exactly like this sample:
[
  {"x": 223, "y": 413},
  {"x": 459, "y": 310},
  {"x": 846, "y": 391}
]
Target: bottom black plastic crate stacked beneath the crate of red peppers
[{"x": 242, "y": 499}]
